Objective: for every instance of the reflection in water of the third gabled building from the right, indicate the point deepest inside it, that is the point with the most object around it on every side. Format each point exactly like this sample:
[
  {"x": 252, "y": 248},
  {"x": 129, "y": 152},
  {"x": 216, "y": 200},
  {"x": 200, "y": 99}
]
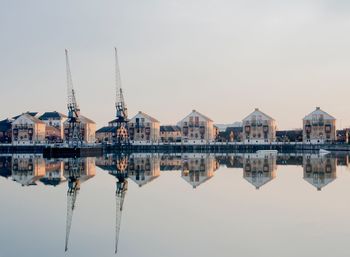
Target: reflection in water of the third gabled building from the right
[{"x": 198, "y": 168}]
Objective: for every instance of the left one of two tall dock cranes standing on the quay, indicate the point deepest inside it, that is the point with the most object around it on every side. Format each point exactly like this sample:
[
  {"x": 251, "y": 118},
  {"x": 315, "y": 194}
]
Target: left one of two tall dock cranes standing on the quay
[{"x": 72, "y": 132}]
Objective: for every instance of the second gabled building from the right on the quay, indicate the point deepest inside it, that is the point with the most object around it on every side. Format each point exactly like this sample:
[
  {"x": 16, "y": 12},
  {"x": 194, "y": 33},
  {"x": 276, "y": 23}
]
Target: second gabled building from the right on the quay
[{"x": 259, "y": 128}]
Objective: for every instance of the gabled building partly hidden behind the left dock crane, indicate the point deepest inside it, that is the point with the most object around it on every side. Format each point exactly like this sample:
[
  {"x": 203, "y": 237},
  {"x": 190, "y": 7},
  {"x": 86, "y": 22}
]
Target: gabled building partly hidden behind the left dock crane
[{"x": 87, "y": 130}]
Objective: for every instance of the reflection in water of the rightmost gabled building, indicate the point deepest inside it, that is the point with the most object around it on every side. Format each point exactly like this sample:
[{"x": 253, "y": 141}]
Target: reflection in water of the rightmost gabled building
[{"x": 319, "y": 171}]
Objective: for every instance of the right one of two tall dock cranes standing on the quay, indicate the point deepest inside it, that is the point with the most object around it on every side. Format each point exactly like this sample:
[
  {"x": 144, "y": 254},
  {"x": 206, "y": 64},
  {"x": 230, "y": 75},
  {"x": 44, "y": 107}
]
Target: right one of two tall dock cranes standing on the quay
[{"x": 121, "y": 120}]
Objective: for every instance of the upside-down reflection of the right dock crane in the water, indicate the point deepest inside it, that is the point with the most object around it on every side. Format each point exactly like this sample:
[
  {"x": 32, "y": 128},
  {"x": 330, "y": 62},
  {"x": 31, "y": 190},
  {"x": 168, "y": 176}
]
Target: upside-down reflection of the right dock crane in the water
[{"x": 121, "y": 174}]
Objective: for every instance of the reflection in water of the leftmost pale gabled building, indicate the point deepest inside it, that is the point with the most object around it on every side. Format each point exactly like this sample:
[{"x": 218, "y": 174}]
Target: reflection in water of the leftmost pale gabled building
[{"x": 27, "y": 169}]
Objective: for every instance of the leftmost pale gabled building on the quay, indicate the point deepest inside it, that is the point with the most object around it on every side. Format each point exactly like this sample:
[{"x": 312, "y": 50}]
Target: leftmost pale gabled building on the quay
[{"x": 28, "y": 129}]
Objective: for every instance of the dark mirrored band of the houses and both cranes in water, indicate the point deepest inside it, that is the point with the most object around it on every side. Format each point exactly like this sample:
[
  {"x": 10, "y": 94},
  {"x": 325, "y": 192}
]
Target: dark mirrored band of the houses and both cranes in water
[{"x": 143, "y": 168}]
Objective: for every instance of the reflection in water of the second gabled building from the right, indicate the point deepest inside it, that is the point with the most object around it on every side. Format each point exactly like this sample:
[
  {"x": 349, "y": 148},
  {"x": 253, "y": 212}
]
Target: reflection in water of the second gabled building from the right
[{"x": 259, "y": 169}]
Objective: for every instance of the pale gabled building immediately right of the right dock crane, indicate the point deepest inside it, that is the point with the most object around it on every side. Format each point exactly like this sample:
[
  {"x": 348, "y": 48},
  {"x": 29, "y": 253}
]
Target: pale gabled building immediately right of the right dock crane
[{"x": 144, "y": 129}]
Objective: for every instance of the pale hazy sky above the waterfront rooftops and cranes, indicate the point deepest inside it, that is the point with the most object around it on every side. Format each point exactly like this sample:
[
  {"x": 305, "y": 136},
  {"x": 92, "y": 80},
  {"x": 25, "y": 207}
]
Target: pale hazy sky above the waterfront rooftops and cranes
[{"x": 222, "y": 58}]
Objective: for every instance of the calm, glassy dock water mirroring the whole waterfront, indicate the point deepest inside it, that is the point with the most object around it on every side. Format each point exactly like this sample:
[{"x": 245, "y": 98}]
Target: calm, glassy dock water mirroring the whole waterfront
[{"x": 176, "y": 205}]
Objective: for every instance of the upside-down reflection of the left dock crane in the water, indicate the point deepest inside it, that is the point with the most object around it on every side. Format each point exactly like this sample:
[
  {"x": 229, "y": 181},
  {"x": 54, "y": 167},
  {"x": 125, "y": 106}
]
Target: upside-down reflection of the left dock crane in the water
[{"x": 72, "y": 193}]
